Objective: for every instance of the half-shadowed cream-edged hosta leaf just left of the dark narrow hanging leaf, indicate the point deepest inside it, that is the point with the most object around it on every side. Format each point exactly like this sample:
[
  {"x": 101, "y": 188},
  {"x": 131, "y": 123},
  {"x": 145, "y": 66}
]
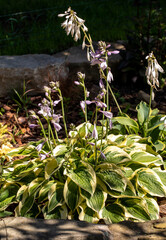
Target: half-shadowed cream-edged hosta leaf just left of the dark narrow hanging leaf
[{"x": 55, "y": 196}]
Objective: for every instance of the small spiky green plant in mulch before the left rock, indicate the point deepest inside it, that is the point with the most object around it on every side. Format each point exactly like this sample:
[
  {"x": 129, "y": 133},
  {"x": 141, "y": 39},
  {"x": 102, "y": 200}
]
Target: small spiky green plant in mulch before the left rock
[{"x": 21, "y": 99}]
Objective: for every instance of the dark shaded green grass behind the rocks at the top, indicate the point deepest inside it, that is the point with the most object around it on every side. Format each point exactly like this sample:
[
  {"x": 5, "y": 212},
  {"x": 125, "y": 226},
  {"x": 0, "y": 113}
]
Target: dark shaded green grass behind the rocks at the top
[{"x": 35, "y": 27}]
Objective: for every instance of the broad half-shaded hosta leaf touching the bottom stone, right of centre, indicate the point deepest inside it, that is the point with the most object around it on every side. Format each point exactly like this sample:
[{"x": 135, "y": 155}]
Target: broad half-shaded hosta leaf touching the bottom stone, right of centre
[{"x": 112, "y": 213}]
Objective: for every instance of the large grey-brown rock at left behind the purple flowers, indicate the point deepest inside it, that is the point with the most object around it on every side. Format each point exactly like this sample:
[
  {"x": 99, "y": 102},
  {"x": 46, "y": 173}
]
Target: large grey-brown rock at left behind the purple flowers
[{"x": 37, "y": 70}]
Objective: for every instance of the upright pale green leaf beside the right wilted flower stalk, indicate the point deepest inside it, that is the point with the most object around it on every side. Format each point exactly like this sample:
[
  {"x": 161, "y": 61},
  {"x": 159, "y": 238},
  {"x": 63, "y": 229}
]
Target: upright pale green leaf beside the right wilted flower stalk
[{"x": 142, "y": 112}]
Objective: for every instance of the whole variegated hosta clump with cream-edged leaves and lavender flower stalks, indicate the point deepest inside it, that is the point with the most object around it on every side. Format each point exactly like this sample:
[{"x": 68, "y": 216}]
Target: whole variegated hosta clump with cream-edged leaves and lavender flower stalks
[{"x": 111, "y": 170}]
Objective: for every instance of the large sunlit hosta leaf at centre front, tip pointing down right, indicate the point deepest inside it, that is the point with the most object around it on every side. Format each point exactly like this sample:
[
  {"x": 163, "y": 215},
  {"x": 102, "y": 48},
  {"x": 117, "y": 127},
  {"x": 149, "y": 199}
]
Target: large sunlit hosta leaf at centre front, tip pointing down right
[{"x": 84, "y": 176}]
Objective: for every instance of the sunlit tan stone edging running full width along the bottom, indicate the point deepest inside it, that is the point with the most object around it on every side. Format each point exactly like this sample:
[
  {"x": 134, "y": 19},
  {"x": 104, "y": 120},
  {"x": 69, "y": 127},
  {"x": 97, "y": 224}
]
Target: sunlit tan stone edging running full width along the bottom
[{"x": 21, "y": 228}]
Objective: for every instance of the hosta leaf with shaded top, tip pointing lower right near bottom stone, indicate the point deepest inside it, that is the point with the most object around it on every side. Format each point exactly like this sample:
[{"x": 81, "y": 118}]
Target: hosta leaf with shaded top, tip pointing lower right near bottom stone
[{"x": 135, "y": 208}]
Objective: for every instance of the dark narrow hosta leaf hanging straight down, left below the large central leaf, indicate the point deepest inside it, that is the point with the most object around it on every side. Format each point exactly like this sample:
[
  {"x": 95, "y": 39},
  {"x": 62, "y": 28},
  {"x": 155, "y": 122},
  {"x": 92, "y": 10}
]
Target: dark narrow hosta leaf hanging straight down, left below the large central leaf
[{"x": 71, "y": 194}]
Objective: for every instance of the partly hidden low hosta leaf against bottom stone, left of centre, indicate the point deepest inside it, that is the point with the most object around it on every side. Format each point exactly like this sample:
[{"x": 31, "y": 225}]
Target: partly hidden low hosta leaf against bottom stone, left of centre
[{"x": 59, "y": 212}]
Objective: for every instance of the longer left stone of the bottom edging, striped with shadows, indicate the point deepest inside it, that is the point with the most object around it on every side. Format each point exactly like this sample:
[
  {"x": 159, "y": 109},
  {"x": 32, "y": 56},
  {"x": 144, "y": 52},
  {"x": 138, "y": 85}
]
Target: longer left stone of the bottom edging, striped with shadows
[{"x": 37, "y": 229}]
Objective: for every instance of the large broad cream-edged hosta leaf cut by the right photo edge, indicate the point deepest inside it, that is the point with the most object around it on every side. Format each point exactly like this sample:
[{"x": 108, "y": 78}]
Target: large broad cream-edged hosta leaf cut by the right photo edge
[{"x": 151, "y": 182}]
